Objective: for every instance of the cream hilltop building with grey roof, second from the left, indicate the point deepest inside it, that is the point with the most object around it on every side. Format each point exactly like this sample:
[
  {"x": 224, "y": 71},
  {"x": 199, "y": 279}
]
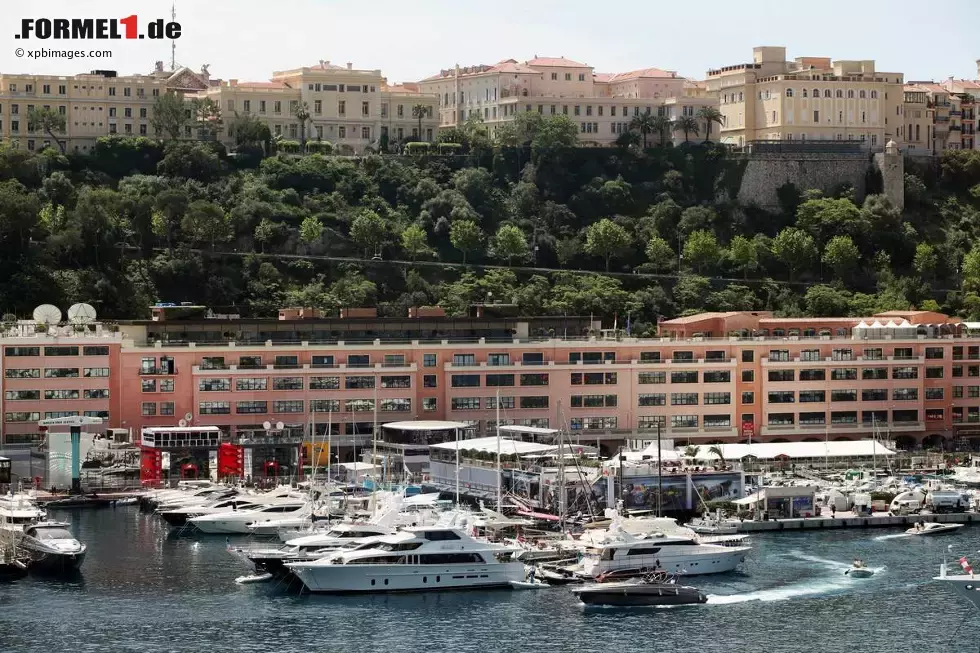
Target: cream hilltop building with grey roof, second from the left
[{"x": 349, "y": 107}]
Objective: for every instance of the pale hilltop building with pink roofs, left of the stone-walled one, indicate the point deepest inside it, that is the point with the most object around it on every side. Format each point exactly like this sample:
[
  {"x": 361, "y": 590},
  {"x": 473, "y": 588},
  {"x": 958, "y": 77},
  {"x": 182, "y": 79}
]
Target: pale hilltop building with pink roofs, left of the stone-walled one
[{"x": 602, "y": 104}]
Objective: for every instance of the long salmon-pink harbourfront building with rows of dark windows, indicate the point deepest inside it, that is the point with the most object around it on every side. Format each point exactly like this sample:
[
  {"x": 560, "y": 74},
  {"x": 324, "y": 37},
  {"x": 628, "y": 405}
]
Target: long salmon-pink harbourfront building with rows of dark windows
[{"x": 902, "y": 376}]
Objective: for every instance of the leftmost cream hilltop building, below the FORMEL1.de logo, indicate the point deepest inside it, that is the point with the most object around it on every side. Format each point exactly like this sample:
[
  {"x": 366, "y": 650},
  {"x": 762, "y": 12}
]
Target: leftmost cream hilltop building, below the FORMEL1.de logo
[{"x": 94, "y": 104}]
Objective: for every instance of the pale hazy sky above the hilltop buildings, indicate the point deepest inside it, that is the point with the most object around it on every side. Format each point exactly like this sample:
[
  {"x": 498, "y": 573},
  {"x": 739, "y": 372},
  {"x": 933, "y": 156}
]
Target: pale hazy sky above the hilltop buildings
[{"x": 409, "y": 40}]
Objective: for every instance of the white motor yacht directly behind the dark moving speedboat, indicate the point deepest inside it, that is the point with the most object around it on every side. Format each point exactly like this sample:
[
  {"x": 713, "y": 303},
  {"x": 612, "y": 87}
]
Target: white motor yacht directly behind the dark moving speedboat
[{"x": 675, "y": 553}]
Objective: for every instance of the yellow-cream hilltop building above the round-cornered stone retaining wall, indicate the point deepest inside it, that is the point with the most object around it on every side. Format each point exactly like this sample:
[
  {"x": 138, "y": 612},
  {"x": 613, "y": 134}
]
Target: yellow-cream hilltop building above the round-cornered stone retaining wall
[{"x": 807, "y": 99}]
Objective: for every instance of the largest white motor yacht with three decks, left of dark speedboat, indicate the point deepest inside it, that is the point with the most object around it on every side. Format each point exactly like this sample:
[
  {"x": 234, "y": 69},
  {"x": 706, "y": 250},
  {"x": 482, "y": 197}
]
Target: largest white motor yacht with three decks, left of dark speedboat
[{"x": 419, "y": 558}]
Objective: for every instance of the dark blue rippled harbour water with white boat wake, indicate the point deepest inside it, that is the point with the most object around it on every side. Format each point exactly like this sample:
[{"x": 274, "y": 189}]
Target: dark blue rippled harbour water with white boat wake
[{"x": 142, "y": 591}]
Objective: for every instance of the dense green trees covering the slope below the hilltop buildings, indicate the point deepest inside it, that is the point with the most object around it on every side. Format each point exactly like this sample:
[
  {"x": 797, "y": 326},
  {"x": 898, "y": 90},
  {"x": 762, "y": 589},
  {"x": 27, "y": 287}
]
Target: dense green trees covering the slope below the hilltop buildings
[{"x": 530, "y": 220}]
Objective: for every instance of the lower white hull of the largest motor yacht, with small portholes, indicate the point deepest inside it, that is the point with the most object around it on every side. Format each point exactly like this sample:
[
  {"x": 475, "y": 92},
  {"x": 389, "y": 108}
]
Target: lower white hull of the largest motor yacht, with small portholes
[{"x": 366, "y": 579}]
